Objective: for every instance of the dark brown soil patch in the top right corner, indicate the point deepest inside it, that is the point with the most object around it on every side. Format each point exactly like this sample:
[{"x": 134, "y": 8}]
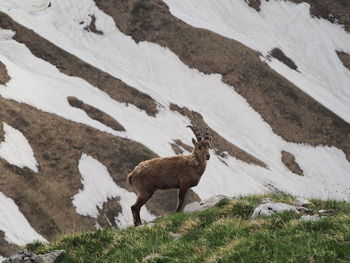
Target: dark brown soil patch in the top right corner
[{"x": 332, "y": 10}]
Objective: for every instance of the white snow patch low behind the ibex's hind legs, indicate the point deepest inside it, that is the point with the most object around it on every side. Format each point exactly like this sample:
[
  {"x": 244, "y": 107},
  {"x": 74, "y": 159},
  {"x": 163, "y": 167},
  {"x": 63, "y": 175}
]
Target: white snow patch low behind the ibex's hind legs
[{"x": 98, "y": 188}]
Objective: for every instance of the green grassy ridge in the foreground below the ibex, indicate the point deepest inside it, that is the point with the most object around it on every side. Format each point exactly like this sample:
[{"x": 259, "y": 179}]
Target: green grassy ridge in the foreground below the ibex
[{"x": 220, "y": 234}]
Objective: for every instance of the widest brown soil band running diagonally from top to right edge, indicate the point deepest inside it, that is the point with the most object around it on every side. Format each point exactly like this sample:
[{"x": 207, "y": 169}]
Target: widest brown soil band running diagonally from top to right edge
[{"x": 291, "y": 113}]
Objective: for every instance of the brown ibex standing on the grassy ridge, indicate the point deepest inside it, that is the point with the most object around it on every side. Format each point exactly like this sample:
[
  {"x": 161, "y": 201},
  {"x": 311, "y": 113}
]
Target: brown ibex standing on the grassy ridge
[{"x": 181, "y": 171}]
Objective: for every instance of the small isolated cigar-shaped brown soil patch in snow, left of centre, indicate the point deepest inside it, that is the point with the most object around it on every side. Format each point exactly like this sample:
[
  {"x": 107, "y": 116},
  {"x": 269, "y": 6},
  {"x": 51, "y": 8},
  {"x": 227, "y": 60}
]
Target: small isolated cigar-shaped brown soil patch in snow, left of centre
[{"x": 96, "y": 114}]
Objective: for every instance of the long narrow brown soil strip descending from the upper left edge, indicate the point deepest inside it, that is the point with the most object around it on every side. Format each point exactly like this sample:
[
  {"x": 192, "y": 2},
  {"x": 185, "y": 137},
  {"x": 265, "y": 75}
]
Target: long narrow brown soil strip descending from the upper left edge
[{"x": 73, "y": 66}]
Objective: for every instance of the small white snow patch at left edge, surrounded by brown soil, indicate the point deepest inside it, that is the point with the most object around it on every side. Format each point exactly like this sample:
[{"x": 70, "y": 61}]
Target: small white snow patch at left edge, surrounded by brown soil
[{"x": 16, "y": 150}]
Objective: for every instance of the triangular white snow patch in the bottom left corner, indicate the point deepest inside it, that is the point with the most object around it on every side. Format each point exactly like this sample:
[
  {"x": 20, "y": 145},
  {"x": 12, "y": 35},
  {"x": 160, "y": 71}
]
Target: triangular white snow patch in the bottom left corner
[{"x": 15, "y": 226}]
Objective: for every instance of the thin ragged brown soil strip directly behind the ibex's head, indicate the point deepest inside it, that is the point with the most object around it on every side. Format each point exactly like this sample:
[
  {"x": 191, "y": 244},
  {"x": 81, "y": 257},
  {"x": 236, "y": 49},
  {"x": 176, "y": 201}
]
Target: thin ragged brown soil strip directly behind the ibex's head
[{"x": 220, "y": 144}]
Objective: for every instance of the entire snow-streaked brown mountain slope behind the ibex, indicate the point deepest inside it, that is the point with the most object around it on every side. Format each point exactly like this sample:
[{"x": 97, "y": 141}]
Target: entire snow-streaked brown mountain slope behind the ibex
[{"x": 90, "y": 88}]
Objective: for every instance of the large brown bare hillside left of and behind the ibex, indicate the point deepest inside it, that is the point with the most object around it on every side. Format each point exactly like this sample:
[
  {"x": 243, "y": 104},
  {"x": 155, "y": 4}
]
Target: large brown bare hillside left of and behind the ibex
[{"x": 45, "y": 198}]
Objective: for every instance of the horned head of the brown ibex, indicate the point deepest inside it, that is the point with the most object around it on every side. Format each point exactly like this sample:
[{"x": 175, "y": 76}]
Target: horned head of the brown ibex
[{"x": 202, "y": 143}]
